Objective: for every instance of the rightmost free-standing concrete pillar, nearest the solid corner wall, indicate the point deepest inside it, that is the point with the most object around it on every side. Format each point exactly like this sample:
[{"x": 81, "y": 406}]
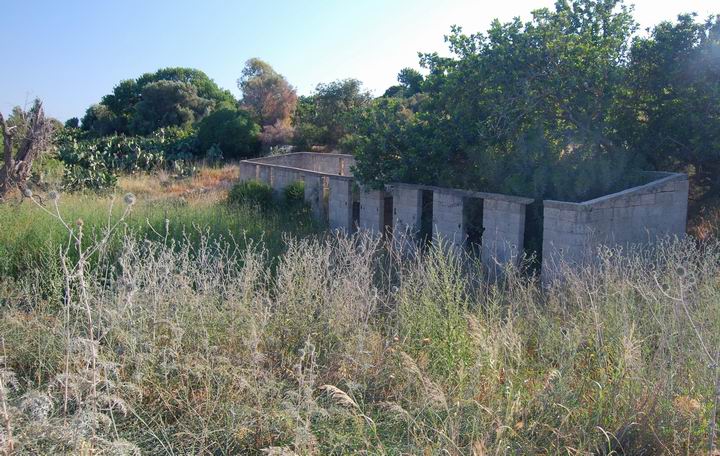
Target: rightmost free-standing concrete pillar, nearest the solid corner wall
[{"x": 503, "y": 235}]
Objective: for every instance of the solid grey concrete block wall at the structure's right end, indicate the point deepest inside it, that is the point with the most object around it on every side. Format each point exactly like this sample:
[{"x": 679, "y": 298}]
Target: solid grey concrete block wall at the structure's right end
[{"x": 572, "y": 232}]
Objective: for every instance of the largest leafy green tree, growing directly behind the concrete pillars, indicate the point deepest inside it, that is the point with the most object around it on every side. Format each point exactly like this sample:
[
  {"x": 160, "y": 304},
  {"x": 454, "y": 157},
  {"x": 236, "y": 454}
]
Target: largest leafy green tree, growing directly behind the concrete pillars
[{"x": 526, "y": 108}]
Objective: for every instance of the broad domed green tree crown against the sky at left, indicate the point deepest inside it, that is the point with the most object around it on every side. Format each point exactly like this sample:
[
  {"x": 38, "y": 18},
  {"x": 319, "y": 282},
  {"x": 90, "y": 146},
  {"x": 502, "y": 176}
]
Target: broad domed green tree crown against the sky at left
[{"x": 168, "y": 97}]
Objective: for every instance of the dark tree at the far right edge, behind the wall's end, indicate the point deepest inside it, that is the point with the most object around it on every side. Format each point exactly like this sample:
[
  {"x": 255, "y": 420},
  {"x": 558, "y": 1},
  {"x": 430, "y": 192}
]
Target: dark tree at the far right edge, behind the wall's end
[{"x": 671, "y": 114}]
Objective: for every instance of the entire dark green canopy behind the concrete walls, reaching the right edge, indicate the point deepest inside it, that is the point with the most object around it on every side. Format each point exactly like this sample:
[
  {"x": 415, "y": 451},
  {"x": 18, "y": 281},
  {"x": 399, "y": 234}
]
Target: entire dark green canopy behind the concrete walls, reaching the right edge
[{"x": 557, "y": 106}]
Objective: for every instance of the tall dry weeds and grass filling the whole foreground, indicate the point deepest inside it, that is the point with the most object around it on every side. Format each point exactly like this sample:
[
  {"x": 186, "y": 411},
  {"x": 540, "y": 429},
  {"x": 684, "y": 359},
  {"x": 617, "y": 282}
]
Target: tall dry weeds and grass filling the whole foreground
[{"x": 341, "y": 346}]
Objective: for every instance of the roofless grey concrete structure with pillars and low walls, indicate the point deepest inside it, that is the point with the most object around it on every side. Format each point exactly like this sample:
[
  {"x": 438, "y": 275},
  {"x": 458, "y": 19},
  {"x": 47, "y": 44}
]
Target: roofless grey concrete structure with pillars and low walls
[{"x": 571, "y": 232}]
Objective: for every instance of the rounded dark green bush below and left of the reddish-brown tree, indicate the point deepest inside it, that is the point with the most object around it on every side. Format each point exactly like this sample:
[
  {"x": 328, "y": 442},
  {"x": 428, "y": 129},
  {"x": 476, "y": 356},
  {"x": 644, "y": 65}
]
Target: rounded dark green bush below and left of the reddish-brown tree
[{"x": 233, "y": 131}]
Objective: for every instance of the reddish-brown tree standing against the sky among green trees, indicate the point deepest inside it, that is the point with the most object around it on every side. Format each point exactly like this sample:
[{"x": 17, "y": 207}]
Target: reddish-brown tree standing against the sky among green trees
[{"x": 266, "y": 94}]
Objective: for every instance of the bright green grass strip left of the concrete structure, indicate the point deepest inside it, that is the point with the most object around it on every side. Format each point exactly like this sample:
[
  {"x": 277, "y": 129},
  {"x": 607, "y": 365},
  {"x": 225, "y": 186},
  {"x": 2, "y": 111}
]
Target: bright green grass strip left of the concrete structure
[{"x": 29, "y": 236}]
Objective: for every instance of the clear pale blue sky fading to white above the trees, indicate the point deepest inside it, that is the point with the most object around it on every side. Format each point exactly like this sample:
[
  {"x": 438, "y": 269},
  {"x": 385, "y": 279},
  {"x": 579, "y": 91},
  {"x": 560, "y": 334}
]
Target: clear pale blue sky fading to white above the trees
[{"x": 70, "y": 53}]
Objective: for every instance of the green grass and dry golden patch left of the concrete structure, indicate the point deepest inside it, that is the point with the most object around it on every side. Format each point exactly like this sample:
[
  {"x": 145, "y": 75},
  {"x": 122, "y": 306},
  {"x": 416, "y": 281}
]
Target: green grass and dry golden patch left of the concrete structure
[{"x": 166, "y": 208}]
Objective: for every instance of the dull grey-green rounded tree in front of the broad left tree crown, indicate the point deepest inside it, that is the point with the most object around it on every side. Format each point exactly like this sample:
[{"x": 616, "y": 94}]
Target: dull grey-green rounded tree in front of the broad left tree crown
[{"x": 168, "y": 104}]
